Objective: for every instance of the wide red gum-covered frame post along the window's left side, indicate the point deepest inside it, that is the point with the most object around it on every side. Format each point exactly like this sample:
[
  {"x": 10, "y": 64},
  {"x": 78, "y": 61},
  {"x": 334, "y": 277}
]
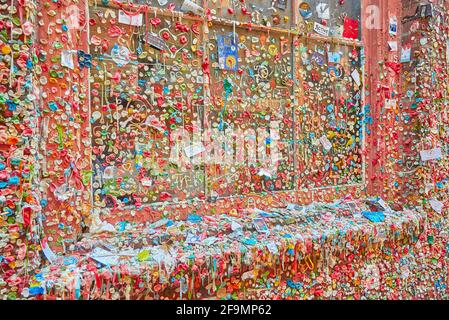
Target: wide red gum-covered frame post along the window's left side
[{"x": 65, "y": 140}]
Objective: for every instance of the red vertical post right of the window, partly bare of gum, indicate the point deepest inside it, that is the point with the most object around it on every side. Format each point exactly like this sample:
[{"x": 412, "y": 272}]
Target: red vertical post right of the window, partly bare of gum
[{"x": 382, "y": 84}]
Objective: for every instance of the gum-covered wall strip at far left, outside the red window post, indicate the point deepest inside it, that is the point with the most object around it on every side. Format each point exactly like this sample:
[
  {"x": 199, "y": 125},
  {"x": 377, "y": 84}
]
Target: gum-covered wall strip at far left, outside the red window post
[{"x": 19, "y": 118}]
